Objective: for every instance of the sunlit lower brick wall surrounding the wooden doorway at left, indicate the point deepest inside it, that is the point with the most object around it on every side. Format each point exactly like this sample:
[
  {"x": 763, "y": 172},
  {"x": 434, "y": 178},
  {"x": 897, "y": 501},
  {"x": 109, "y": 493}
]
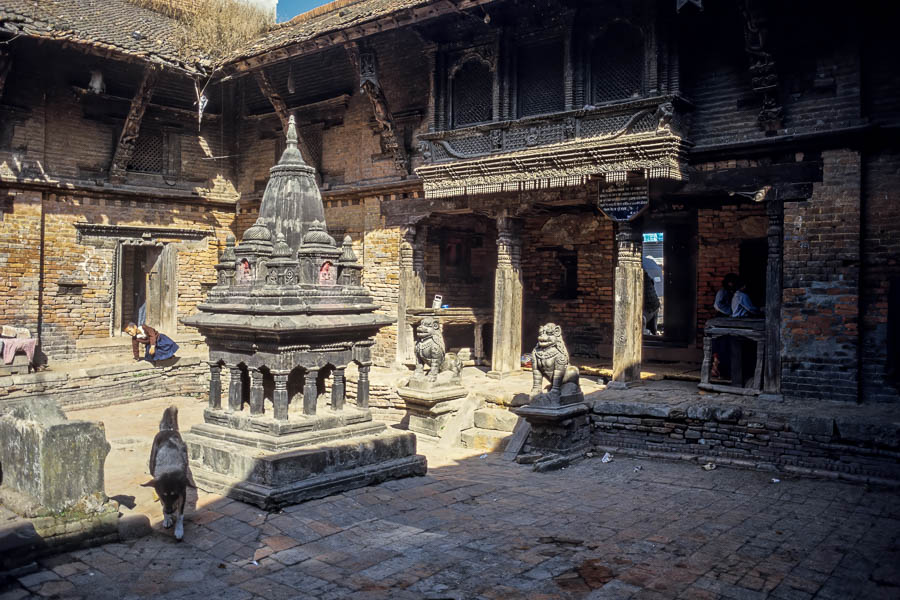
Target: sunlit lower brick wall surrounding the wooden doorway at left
[{"x": 71, "y": 312}]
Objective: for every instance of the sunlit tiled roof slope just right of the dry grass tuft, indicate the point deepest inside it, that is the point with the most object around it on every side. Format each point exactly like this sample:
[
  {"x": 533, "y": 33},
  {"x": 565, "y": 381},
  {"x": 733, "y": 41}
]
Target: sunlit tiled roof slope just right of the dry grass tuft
[{"x": 335, "y": 16}]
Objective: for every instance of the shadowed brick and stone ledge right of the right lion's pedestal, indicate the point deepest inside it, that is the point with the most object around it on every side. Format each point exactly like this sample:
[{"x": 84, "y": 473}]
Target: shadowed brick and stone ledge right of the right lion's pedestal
[{"x": 837, "y": 440}]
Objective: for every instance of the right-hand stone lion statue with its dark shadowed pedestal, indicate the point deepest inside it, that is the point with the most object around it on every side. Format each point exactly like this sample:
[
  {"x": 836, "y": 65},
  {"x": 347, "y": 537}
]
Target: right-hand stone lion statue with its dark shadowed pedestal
[{"x": 558, "y": 416}]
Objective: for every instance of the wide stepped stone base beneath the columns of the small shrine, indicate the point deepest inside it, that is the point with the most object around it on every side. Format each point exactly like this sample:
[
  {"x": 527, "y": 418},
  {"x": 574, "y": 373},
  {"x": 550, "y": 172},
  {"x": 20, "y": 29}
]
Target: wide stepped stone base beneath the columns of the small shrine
[{"x": 252, "y": 458}]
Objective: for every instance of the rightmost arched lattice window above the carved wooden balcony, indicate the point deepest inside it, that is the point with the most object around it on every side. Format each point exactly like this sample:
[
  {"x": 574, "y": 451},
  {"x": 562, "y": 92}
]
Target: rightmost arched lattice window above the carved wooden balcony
[{"x": 617, "y": 64}]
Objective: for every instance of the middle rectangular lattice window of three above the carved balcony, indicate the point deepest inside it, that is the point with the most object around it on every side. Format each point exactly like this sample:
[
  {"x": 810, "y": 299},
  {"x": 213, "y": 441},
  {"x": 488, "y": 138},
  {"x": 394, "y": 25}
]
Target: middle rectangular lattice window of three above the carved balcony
[{"x": 540, "y": 78}]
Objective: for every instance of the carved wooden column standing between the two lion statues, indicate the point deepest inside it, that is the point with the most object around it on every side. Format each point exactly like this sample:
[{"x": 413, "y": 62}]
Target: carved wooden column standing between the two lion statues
[{"x": 506, "y": 358}]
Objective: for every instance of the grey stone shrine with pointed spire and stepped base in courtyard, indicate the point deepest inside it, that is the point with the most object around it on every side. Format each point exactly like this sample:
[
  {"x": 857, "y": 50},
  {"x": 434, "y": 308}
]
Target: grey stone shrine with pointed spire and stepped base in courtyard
[{"x": 288, "y": 316}]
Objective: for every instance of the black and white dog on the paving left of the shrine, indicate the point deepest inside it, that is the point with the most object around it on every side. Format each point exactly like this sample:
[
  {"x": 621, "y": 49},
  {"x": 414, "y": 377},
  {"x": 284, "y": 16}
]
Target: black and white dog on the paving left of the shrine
[{"x": 169, "y": 468}]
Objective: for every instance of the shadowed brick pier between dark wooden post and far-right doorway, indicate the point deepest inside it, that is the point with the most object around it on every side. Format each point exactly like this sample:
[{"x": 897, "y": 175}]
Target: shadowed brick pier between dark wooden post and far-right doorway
[{"x": 820, "y": 314}]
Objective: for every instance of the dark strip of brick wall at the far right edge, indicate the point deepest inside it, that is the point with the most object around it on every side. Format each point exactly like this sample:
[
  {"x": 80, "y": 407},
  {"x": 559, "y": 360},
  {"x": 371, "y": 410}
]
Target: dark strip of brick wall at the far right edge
[{"x": 880, "y": 269}]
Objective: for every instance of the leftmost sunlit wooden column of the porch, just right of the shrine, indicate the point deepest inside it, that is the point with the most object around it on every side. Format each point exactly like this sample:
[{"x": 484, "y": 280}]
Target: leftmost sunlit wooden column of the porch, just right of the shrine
[{"x": 412, "y": 288}]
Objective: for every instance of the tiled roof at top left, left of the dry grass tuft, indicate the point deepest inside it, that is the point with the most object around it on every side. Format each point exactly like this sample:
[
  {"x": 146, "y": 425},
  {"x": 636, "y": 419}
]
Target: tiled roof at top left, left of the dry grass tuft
[{"x": 114, "y": 25}]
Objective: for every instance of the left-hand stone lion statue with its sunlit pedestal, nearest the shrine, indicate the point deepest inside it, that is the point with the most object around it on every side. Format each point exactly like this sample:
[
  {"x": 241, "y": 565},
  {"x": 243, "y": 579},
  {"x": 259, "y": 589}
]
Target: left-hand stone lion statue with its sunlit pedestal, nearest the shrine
[{"x": 432, "y": 397}]
